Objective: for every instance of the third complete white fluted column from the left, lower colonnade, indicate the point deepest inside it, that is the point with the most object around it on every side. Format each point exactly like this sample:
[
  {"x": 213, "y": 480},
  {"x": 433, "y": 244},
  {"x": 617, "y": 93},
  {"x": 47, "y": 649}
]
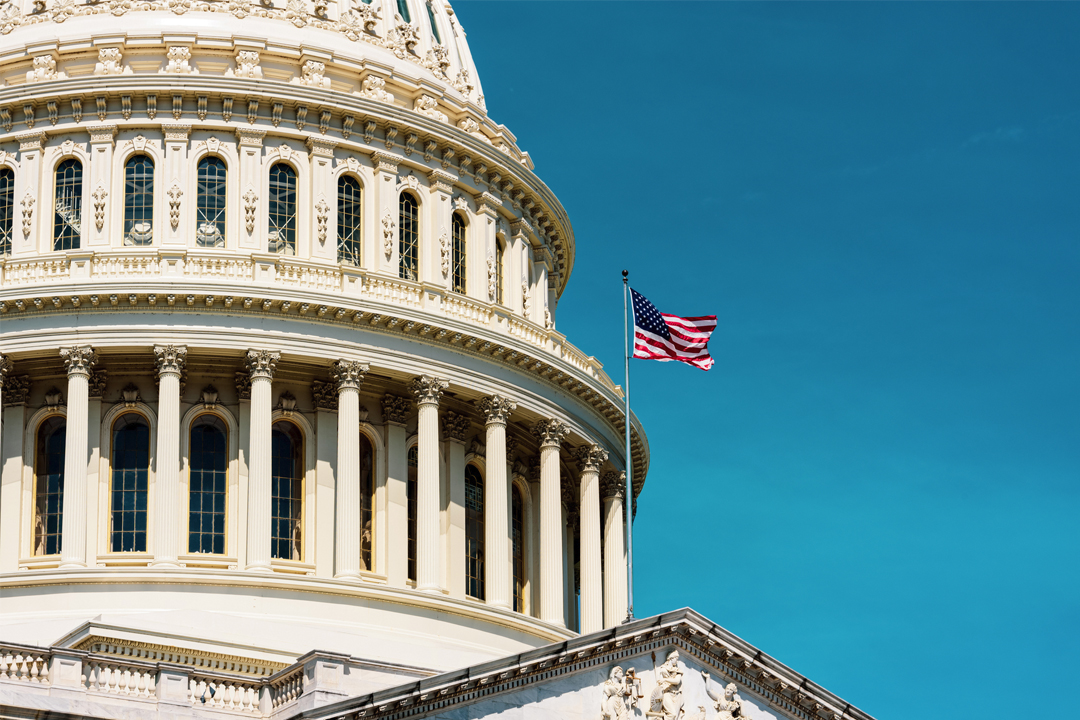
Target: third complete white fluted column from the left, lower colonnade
[{"x": 261, "y": 366}]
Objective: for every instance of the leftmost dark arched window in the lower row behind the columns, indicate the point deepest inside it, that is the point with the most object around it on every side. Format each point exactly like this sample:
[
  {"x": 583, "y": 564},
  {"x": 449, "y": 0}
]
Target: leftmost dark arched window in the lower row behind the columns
[{"x": 49, "y": 486}]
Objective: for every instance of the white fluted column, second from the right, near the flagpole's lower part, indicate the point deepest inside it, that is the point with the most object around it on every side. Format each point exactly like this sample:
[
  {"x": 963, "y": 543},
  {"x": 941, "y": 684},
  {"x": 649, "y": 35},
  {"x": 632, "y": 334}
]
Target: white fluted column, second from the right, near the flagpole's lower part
[{"x": 590, "y": 458}]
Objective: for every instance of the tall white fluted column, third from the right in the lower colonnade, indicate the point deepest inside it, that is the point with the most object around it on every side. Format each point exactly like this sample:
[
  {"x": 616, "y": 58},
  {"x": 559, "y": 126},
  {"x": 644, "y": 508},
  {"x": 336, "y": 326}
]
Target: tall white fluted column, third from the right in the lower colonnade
[{"x": 551, "y": 433}]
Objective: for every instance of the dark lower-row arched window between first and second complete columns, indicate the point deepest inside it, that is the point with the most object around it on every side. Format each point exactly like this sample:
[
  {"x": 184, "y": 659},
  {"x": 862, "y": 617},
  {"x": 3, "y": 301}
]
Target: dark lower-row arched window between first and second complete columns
[{"x": 131, "y": 466}]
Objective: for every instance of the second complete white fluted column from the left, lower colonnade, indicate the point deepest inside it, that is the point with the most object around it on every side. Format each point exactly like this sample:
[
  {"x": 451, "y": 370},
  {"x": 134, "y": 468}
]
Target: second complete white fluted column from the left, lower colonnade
[{"x": 167, "y": 492}]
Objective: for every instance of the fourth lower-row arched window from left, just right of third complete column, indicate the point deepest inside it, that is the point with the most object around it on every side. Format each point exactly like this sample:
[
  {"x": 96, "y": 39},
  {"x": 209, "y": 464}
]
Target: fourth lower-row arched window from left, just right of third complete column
[{"x": 287, "y": 492}]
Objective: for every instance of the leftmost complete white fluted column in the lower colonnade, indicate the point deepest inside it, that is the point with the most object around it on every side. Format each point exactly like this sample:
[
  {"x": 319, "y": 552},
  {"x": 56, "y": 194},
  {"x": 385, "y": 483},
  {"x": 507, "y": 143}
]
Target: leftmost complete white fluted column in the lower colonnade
[{"x": 79, "y": 361}]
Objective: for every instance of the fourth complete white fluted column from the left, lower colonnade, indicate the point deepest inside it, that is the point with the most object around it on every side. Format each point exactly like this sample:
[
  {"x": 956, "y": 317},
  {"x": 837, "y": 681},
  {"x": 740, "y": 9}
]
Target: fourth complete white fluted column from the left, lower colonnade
[{"x": 349, "y": 376}]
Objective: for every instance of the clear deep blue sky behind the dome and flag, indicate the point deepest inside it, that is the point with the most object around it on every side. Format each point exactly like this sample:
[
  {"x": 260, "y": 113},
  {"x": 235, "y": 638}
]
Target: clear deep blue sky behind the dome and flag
[{"x": 879, "y": 482}]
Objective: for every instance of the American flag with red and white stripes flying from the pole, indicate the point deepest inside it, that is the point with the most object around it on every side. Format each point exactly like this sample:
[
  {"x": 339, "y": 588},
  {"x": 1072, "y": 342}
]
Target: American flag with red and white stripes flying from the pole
[{"x": 664, "y": 337}]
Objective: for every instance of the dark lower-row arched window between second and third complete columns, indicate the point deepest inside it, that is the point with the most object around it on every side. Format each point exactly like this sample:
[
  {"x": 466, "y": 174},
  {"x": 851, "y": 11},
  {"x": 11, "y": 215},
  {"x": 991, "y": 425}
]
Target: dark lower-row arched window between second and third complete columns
[{"x": 209, "y": 463}]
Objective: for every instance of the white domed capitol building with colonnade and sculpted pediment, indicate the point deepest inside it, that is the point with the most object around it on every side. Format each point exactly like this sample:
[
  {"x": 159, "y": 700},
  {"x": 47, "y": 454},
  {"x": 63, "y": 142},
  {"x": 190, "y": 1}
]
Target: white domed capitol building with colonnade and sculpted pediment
[{"x": 288, "y": 426}]
